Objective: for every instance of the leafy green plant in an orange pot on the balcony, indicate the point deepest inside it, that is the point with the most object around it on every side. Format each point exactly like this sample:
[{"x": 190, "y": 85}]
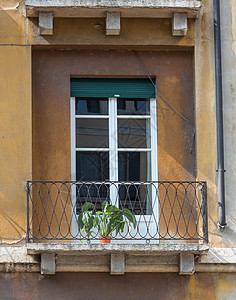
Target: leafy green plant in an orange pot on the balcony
[{"x": 107, "y": 220}]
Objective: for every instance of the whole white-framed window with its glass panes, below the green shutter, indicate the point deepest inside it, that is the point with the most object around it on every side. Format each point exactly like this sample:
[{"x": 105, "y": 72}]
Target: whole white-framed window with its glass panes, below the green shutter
[{"x": 114, "y": 139}]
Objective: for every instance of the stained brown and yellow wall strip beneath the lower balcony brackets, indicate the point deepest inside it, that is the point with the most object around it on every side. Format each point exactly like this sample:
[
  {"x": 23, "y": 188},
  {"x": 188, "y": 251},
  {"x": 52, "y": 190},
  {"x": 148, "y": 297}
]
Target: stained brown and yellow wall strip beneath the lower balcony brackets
[{"x": 135, "y": 286}]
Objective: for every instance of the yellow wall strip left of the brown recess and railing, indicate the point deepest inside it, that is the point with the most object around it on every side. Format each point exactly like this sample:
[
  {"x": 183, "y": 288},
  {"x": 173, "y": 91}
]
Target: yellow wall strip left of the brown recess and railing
[{"x": 15, "y": 122}]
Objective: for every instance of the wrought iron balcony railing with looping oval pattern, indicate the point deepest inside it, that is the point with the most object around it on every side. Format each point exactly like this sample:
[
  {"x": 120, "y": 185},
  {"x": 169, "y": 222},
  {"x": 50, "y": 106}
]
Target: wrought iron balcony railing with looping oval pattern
[{"x": 162, "y": 210}]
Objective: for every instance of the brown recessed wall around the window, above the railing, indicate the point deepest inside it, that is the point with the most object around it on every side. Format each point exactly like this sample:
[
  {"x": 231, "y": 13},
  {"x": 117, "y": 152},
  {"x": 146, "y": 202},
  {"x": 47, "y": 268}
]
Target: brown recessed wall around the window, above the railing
[{"x": 52, "y": 70}]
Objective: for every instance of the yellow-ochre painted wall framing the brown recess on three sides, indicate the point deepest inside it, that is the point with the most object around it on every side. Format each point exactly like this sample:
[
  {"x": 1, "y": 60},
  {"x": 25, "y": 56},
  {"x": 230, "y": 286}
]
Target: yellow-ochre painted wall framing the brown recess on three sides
[{"x": 15, "y": 98}]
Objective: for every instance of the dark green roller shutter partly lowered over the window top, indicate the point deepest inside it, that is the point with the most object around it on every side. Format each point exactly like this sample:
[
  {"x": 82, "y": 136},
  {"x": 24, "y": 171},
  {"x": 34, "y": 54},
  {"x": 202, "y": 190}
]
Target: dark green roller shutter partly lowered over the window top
[{"x": 112, "y": 87}]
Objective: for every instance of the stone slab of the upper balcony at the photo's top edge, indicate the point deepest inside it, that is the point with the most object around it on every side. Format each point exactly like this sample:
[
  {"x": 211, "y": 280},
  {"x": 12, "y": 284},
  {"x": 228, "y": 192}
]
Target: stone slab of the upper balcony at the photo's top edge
[{"x": 127, "y": 8}]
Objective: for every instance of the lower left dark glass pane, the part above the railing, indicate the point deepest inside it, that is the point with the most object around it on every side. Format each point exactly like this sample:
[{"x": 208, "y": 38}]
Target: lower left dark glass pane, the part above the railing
[{"x": 92, "y": 166}]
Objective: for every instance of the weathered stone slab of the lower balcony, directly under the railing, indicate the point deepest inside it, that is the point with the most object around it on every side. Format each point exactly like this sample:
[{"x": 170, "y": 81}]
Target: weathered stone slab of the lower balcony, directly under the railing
[{"x": 73, "y": 248}]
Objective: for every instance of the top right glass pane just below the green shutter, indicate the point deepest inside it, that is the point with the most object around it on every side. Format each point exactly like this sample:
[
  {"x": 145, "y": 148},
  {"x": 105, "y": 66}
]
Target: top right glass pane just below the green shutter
[{"x": 133, "y": 107}]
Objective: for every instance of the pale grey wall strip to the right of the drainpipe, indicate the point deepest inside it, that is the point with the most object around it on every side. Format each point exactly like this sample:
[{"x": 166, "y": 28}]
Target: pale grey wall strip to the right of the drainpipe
[{"x": 228, "y": 16}]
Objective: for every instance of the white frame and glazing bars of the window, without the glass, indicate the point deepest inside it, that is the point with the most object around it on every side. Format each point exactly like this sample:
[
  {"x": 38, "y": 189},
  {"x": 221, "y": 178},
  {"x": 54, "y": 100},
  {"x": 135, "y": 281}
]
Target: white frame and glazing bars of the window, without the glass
[{"x": 114, "y": 150}]
